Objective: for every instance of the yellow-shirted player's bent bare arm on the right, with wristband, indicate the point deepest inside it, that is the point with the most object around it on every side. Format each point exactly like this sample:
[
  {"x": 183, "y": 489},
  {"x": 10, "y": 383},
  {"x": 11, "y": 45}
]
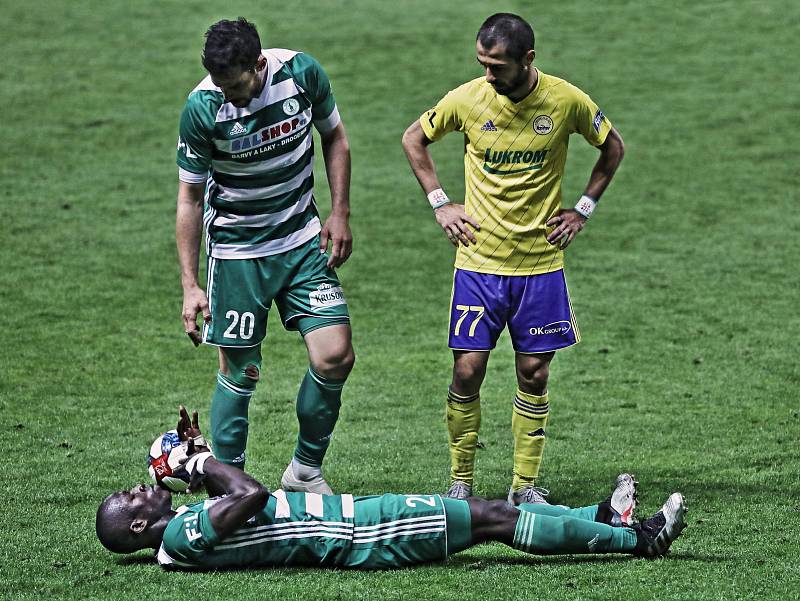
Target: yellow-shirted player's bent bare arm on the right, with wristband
[{"x": 568, "y": 222}]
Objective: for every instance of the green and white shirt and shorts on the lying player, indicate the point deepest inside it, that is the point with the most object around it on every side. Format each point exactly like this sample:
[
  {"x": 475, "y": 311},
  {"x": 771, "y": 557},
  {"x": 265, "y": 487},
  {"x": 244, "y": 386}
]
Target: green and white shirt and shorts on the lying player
[{"x": 308, "y": 529}]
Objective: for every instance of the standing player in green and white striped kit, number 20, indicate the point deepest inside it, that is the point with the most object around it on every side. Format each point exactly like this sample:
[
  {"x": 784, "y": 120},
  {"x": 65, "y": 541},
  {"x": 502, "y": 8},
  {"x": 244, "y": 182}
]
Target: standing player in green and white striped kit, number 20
[{"x": 246, "y": 149}]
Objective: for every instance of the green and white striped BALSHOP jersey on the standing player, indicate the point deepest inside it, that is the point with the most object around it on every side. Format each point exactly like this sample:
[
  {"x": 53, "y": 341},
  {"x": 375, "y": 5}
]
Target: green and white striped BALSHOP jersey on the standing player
[{"x": 258, "y": 160}]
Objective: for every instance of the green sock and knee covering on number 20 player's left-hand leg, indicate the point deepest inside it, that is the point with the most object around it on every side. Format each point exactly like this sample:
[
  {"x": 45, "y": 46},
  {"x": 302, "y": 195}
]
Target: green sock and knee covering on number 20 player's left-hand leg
[{"x": 230, "y": 403}]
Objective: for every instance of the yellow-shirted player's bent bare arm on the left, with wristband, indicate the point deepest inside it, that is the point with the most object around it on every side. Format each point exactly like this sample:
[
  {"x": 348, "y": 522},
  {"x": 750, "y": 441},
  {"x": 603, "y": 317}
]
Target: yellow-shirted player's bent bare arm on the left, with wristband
[{"x": 454, "y": 220}]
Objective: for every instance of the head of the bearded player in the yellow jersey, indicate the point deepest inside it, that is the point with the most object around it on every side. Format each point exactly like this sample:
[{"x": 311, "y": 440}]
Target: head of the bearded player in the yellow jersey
[{"x": 505, "y": 49}]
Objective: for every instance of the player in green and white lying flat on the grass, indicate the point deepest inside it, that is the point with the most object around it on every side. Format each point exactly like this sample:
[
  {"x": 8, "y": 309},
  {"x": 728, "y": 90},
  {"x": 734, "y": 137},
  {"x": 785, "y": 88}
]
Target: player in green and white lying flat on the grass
[{"x": 249, "y": 526}]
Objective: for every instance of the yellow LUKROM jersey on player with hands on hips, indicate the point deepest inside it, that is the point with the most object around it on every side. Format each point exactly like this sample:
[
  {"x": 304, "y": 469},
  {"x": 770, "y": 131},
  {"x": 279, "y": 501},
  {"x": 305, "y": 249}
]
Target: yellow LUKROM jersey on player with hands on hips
[{"x": 514, "y": 160}]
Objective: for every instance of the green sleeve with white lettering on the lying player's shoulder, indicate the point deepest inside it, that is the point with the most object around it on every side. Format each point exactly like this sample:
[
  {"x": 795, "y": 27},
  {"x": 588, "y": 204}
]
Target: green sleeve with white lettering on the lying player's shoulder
[{"x": 187, "y": 538}]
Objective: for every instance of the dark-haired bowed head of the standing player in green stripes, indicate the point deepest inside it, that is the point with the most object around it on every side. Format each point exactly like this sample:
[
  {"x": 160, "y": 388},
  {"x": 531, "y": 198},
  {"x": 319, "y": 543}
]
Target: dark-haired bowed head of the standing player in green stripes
[{"x": 232, "y": 56}]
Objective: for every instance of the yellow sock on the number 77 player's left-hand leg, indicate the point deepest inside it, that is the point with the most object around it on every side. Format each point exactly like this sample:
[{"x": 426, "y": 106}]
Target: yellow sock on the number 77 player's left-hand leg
[{"x": 463, "y": 423}]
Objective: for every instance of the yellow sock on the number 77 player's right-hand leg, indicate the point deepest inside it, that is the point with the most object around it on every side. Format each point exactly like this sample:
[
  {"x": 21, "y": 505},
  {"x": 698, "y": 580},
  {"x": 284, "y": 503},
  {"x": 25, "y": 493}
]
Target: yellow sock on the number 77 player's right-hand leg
[{"x": 528, "y": 422}]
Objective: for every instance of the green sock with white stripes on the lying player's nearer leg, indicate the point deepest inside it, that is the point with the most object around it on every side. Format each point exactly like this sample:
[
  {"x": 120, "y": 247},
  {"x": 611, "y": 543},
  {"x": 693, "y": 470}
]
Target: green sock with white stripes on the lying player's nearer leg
[{"x": 548, "y": 535}]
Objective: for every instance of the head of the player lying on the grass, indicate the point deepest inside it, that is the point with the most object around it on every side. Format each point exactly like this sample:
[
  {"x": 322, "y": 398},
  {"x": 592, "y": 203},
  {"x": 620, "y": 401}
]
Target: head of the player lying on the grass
[{"x": 125, "y": 519}]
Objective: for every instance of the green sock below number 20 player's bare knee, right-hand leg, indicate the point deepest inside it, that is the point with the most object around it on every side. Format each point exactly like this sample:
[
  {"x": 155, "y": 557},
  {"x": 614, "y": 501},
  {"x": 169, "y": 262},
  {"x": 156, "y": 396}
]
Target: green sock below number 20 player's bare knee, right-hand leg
[{"x": 318, "y": 403}]
